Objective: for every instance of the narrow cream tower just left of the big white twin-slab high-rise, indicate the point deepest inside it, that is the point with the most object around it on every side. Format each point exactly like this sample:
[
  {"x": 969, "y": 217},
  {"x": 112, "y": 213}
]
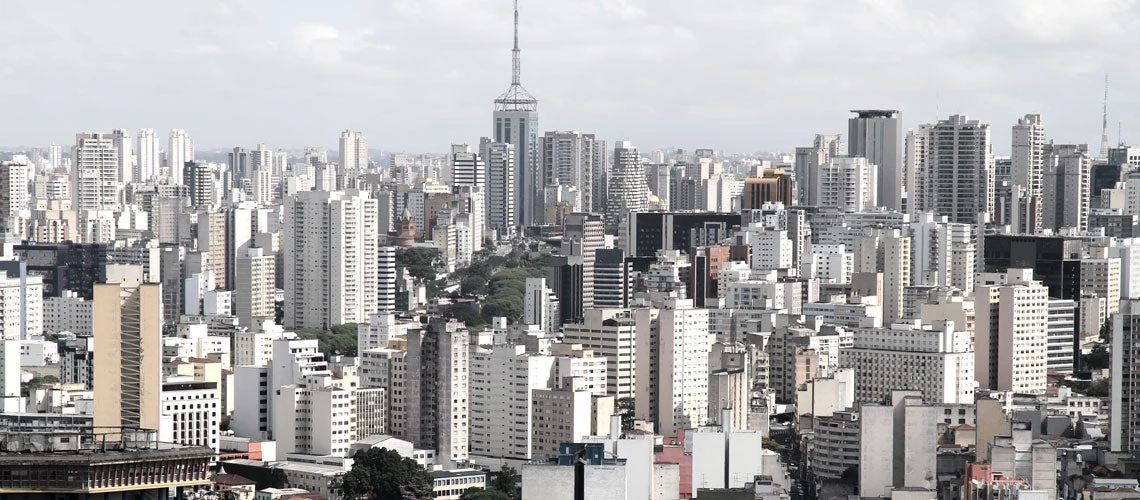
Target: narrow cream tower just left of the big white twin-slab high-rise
[{"x": 256, "y": 290}]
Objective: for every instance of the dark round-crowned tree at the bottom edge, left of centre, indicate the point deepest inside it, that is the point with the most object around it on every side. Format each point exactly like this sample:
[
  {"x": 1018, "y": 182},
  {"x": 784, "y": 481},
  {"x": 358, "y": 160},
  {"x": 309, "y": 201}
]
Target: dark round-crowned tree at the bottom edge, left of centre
[{"x": 384, "y": 474}]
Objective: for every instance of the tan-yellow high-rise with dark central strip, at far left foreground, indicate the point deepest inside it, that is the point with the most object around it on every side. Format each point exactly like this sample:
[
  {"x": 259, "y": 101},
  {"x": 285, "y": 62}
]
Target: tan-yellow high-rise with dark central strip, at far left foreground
[{"x": 128, "y": 350}]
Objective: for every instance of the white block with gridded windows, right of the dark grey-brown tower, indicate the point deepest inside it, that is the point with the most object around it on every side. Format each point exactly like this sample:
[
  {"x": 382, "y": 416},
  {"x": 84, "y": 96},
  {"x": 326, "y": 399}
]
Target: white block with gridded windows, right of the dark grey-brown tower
[{"x": 502, "y": 382}]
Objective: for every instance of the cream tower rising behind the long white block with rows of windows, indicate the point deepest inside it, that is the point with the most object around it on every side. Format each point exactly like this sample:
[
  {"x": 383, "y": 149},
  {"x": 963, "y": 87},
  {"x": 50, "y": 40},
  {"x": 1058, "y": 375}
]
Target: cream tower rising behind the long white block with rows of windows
[{"x": 886, "y": 251}]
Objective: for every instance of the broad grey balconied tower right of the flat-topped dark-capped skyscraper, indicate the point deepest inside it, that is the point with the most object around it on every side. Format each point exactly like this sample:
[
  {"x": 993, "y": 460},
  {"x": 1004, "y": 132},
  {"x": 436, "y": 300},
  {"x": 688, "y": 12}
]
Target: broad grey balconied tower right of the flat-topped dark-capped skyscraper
[{"x": 957, "y": 170}]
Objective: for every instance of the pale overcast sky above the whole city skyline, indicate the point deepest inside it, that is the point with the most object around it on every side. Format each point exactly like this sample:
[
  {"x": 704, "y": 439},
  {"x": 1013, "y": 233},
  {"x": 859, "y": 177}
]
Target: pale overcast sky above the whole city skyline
[{"x": 417, "y": 76}]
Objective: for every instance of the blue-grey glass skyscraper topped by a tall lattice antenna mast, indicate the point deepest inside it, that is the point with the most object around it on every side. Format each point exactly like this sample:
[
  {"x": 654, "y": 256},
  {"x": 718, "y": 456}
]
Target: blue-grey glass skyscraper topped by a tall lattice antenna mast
[{"x": 516, "y": 121}]
